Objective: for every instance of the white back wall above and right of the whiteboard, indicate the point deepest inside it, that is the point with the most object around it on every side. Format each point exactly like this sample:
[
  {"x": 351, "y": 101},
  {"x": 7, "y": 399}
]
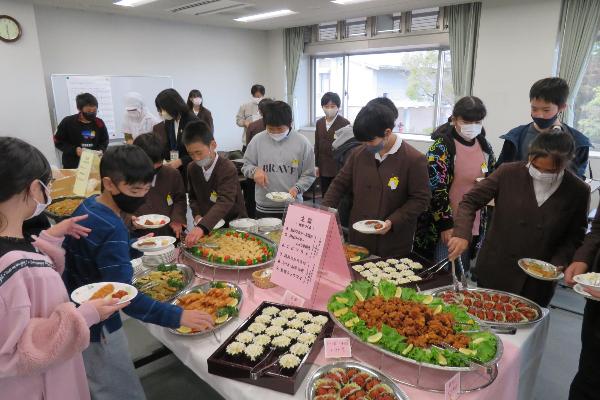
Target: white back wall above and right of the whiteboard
[{"x": 222, "y": 63}]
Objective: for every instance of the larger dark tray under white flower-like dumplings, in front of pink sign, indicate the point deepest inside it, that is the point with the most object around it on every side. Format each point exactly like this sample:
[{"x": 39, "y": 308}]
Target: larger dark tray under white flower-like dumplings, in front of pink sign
[{"x": 219, "y": 363}]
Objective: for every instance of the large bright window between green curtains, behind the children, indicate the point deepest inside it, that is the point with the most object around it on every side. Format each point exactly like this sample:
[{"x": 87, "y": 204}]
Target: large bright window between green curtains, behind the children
[{"x": 418, "y": 82}]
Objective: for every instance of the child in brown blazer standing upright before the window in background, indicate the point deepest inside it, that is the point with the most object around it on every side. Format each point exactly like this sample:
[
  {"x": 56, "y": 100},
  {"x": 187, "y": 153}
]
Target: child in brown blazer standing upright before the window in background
[{"x": 324, "y": 132}]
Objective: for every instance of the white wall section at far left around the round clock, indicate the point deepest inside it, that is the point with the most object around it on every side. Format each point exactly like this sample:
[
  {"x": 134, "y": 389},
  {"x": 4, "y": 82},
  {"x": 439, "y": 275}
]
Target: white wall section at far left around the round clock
[{"x": 23, "y": 104}]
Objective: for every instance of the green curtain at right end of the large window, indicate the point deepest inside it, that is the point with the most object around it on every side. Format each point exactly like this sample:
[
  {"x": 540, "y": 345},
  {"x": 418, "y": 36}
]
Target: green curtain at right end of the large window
[{"x": 463, "y": 27}]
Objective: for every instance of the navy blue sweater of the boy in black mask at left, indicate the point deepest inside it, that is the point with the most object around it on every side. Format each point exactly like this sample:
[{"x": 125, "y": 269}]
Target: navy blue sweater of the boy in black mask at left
[{"x": 104, "y": 256}]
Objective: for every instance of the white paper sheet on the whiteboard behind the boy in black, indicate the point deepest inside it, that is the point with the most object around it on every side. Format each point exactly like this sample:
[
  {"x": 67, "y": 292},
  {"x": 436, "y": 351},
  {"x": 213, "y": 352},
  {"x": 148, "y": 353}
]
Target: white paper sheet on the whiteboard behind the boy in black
[{"x": 100, "y": 87}]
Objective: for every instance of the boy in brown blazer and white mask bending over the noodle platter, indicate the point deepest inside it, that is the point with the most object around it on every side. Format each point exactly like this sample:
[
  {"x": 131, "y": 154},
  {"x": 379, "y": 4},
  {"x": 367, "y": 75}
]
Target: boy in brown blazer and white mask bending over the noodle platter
[{"x": 215, "y": 192}]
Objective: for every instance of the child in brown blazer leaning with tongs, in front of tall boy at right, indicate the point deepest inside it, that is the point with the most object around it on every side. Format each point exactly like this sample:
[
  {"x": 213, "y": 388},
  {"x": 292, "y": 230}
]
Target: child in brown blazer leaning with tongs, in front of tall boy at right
[{"x": 540, "y": 212}]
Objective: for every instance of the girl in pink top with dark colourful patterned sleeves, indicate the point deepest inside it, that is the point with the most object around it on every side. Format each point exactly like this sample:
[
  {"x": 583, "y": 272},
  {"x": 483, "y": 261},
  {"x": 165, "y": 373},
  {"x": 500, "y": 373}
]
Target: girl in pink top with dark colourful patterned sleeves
[{"x": 459, "y": 156}]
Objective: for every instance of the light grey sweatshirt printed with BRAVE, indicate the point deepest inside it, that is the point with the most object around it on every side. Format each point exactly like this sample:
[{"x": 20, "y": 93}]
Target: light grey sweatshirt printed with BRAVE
[{"x": 288, "y": 163}]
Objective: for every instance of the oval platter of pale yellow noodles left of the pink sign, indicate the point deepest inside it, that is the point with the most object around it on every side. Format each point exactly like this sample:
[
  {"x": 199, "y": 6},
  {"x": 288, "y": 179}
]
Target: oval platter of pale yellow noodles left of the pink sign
[{"x": 232, "y": 249}]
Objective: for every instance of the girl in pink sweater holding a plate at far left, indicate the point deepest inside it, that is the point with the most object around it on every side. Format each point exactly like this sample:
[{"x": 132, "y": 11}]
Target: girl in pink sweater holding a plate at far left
[{"x": 42, "y": 334}]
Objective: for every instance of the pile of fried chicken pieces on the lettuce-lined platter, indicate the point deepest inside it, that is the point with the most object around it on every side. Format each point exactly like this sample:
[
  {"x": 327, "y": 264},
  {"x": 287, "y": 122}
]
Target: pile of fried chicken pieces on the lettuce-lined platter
[{"x": 417, "y": 322}]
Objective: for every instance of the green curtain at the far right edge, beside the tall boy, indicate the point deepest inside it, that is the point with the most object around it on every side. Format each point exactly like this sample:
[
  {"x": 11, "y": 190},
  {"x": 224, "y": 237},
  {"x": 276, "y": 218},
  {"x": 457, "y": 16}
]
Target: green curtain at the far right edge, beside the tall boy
[{"x": 579, "y": 25}]
